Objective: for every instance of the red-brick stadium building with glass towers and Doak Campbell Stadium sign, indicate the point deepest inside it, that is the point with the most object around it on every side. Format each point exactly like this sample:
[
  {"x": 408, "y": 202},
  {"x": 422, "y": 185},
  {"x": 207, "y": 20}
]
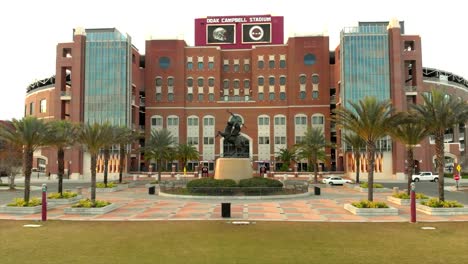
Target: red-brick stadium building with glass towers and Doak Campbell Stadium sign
[{"x": 241, "y": 65}]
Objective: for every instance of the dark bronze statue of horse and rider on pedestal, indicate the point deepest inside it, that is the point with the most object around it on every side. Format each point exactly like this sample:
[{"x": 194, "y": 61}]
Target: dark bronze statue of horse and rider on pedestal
[{"x": 232, "y": 136}]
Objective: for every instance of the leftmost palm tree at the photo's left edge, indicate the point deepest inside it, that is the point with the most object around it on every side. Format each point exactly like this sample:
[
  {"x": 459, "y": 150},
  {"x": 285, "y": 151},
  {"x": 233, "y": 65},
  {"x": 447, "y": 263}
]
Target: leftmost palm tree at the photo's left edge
[{"x": 29, "y": 134}]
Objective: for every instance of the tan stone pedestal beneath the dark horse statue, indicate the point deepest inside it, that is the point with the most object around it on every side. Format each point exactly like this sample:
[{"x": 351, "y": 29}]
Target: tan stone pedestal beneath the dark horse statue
[{"x": 233, "y": 168}]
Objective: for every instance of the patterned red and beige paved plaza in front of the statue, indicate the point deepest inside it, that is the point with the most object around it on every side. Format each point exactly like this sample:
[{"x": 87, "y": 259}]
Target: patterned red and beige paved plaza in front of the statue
[{"x": 136, "y": 205}]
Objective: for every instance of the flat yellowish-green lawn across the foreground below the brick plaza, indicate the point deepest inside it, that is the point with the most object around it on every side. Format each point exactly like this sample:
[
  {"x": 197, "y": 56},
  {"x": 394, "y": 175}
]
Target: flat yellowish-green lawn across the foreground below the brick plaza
[{"x": 219, "y": 242}]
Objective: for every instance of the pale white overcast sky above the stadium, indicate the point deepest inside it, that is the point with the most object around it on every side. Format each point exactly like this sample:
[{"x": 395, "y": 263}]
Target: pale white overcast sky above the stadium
[{"x": 31, "y": 29}]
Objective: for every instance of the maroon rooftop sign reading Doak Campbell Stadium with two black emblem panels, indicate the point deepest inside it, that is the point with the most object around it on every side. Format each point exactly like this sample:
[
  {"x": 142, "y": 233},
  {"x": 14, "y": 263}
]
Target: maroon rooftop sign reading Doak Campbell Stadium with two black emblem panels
[{"x": 237, "y": 32}]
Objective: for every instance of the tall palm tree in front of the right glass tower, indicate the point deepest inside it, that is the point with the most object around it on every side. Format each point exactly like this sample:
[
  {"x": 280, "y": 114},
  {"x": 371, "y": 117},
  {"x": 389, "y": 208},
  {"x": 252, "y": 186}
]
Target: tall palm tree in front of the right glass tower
[{"x": 369, "y": 119}]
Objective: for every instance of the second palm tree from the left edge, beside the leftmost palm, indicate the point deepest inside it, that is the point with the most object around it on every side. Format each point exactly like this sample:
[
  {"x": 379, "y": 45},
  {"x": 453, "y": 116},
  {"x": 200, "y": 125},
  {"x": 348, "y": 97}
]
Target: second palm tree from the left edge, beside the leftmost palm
[{"x": 62, "y": 136}]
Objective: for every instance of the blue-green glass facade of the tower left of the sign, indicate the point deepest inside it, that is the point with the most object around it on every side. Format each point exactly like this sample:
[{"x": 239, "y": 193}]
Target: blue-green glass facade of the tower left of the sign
[{"x": 107, "y": 77}]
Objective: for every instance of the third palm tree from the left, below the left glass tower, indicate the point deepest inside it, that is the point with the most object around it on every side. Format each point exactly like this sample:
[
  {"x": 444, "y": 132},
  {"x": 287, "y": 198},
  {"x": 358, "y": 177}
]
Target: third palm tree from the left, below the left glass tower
[{"x": 93, "y": 138}]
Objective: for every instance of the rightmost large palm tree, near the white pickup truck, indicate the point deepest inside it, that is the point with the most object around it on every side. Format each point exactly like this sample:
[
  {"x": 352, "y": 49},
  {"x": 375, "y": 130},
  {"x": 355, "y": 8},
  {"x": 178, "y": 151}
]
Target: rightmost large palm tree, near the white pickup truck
[{"x": 441, "y": 111}]
